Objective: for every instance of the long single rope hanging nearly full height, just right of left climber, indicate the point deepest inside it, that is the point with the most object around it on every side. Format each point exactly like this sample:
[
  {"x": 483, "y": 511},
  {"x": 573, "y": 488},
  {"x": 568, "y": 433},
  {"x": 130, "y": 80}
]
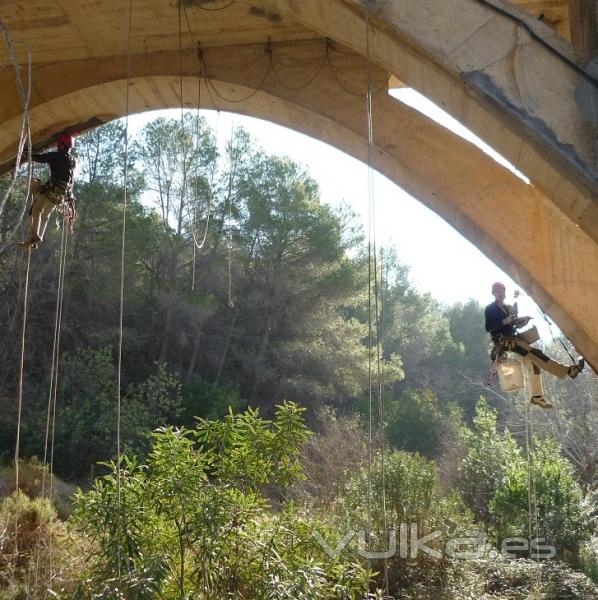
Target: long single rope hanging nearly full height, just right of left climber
[{"x": 122, "y": 298}]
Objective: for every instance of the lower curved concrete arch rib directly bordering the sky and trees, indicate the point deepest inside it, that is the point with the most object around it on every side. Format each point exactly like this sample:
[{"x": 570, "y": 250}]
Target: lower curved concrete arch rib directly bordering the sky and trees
[{"x": 513, "y": 223}]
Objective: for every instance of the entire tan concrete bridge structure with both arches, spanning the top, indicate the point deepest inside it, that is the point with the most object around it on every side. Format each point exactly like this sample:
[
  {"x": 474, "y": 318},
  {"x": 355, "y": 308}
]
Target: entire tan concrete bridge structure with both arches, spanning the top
[{"x": 301, "y": 65}]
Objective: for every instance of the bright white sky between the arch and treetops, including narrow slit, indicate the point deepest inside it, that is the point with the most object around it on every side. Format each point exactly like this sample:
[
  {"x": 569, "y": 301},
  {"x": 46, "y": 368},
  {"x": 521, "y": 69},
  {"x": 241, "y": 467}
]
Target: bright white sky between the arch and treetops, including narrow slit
[{"x": 441, "y": 260}]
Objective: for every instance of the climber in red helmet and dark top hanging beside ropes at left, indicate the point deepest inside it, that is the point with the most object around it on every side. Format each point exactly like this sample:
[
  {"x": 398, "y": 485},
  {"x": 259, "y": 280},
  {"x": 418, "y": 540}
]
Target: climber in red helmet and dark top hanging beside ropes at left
[{"x": 56, "y": 192}]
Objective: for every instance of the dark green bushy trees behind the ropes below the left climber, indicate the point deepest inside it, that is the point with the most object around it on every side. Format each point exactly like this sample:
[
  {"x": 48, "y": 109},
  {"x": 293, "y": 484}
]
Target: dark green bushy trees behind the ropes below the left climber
[{"x": 86, "y": 412}]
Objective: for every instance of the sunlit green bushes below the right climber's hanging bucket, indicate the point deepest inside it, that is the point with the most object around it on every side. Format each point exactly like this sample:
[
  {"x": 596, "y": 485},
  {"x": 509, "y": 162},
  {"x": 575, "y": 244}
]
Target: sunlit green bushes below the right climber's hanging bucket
[{"x": 495, "y": 480}]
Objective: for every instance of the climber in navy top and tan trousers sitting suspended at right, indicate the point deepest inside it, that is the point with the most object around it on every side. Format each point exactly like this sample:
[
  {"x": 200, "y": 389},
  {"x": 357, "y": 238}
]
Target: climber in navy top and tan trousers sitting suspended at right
[{"x": 502, "y": 323}]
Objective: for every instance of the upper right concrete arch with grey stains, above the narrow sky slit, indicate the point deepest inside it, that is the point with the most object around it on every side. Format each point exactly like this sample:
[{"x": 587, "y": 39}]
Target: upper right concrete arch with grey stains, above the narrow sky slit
[{"x": 488, "y": 69}]
